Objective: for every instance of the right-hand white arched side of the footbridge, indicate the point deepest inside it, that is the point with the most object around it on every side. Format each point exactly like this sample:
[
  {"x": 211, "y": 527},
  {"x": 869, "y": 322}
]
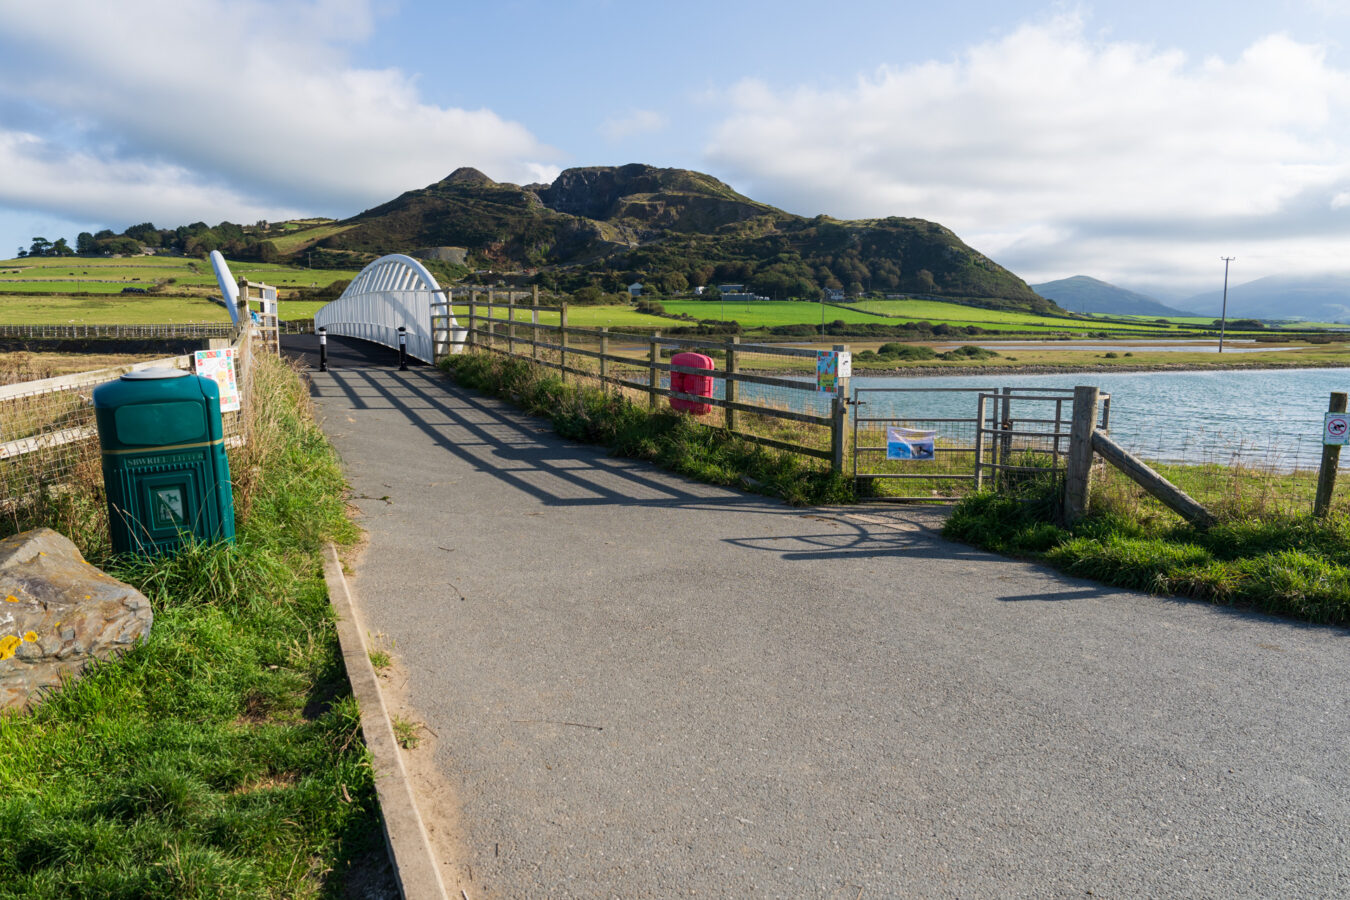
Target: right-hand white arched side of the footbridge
[{"x": 391, "y": 292}]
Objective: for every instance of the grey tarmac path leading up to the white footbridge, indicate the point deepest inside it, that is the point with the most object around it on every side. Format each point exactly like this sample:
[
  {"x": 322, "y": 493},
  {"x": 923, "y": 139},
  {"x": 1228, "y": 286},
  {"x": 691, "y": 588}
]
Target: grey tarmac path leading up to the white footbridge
[{"x": 647, "y": 687}]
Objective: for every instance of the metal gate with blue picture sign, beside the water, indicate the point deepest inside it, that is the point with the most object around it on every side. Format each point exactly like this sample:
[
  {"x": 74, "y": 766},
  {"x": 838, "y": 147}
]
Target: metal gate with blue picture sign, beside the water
[{"x": 939, "y": 445}]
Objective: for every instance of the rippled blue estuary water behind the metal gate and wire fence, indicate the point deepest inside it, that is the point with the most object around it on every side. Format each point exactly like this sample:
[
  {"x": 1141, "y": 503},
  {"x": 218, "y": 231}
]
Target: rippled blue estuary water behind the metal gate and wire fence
[{"x": 1270, "y": 418}]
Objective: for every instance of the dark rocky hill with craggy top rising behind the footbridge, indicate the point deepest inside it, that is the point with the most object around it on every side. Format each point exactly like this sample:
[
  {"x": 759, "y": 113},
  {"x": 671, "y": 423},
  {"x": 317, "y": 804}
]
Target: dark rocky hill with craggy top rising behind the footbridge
[{"x": 673, "y": 230}]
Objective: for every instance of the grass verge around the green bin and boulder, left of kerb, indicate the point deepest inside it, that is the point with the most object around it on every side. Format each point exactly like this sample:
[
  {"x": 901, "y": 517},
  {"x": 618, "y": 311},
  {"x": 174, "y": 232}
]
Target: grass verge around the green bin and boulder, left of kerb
[{"x": 221, "y": 758}]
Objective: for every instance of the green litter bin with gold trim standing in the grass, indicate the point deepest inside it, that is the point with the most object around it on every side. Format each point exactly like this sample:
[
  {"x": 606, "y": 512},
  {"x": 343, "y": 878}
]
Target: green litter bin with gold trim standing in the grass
[{"x": 164, "y": 461}]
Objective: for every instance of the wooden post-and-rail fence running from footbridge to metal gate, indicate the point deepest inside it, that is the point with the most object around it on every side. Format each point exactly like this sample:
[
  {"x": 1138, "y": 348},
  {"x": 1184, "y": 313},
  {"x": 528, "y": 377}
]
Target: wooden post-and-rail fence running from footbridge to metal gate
[{"x": 765, "y": 393}]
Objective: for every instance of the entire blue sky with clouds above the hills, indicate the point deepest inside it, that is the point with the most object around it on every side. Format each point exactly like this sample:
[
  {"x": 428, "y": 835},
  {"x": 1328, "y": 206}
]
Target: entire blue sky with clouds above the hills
[{"x": 1135, "y": 141}]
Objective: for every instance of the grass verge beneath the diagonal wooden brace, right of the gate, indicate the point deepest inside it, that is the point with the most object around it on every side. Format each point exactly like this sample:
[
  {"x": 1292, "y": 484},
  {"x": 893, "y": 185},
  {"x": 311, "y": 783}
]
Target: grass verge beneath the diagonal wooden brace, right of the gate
[{"x": 1290, "y": 566}]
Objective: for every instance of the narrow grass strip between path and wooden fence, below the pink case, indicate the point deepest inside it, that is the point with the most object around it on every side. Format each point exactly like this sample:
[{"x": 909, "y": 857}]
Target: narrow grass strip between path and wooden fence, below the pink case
[{"x": 670, "y": 439}]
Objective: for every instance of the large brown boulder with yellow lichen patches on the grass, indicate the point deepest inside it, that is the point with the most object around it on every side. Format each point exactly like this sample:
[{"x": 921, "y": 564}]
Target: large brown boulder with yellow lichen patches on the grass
[{"x": 57, "y": 615}]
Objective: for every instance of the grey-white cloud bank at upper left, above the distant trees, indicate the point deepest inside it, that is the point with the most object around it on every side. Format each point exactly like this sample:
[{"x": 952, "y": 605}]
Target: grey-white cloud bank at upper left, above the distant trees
[{"x": 242, "y": 110}]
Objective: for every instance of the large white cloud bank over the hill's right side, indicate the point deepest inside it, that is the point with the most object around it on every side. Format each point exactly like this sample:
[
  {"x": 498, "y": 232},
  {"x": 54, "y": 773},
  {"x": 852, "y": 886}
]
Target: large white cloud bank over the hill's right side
[{"x": 1048, "y": 146}]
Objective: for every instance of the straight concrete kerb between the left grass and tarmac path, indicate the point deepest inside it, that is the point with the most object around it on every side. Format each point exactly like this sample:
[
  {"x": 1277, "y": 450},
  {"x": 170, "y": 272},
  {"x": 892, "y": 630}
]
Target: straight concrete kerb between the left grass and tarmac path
[{"x": 410, "y": 848}]
